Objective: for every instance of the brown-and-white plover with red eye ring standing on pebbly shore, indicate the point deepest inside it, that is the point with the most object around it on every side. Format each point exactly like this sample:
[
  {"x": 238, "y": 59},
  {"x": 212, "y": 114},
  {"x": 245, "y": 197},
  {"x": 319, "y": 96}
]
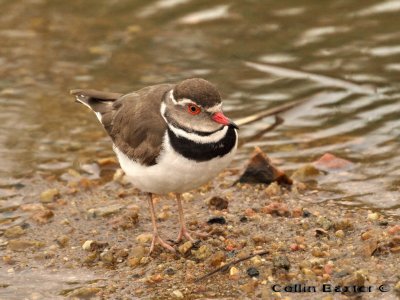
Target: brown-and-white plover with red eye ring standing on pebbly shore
[{"x": 168, "y": 138}]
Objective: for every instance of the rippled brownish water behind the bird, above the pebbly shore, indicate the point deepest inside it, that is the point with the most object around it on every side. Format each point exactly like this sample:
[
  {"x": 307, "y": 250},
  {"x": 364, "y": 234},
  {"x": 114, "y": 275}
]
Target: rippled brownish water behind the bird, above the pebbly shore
[{"x": 341, "y": 56}]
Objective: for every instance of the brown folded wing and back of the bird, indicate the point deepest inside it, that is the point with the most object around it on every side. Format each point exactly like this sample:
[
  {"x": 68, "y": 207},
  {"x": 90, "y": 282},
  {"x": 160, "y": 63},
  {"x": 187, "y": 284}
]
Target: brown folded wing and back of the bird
[{"x": 134, "y": 121}]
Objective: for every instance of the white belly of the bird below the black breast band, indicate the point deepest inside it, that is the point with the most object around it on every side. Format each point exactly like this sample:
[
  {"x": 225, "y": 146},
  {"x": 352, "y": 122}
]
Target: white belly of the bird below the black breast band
[{"x": 173, "y": 172}]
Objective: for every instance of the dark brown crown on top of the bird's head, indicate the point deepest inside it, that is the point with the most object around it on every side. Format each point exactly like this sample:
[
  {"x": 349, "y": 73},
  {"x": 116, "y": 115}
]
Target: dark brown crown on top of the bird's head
[{"x": 198, "y": 90}]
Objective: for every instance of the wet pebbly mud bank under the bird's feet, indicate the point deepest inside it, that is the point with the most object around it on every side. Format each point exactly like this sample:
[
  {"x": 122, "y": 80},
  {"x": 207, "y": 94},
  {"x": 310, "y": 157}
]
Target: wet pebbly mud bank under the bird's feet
[{"x": 86, "y": 235}]
